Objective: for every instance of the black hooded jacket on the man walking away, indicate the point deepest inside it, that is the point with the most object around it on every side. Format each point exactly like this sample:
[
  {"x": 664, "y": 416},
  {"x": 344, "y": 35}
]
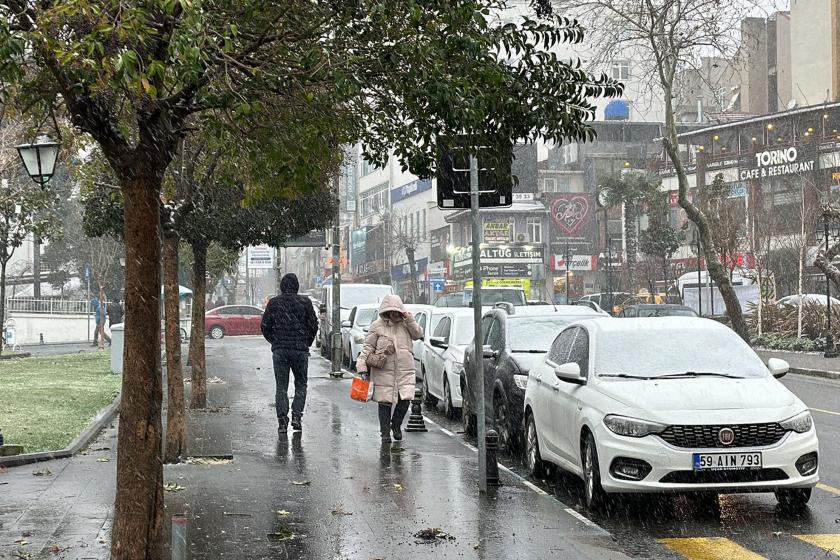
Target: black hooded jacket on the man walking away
[{"x": 289, "y": 321}]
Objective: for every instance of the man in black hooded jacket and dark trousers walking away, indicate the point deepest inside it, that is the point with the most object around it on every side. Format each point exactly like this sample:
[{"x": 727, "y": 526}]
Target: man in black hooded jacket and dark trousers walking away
[{"x": 290, "y": 325}]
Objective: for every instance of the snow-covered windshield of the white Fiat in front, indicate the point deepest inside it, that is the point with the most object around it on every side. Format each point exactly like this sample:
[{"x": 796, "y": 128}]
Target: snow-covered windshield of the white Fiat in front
[{"x": 654, "y": 354}]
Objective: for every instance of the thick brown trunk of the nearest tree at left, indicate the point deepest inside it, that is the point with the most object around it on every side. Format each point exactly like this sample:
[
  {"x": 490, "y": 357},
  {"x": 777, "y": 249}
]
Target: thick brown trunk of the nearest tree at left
[{"x": 138, "y": 508}]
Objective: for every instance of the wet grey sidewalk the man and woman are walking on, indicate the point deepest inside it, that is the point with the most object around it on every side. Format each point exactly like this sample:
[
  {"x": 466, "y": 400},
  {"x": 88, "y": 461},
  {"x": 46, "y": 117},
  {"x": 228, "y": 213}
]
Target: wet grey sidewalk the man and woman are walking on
[{"x": 332, "y": 492}]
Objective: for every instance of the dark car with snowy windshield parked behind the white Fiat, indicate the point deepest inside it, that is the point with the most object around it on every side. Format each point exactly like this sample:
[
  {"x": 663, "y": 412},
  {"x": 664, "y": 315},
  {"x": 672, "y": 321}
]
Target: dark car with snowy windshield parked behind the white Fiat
[{"x": 515, "y": 339}]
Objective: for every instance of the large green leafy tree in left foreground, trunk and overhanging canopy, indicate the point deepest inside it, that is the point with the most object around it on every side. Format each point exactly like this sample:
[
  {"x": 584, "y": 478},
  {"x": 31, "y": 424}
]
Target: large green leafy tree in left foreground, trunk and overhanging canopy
[{"x": 290, "y": 81}]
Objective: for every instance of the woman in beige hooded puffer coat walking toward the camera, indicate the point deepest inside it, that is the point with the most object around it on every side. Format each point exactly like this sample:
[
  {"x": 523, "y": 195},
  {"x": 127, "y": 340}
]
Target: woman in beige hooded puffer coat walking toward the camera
[{"x": 391, "y": 336}]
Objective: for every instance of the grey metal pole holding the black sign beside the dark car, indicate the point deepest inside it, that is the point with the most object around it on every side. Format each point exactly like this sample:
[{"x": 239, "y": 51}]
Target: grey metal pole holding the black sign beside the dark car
[{"x": 479, "y": 348}]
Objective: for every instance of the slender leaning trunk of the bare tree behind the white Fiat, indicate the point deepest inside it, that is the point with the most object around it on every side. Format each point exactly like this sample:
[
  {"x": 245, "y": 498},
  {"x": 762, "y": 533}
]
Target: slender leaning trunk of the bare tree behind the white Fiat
[{"x": 713, "y": 266}]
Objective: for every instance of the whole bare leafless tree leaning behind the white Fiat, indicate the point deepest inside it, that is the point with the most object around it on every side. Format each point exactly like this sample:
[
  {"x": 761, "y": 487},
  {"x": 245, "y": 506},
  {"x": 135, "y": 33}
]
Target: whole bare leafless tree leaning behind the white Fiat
[{"x": 666, "y": 37}]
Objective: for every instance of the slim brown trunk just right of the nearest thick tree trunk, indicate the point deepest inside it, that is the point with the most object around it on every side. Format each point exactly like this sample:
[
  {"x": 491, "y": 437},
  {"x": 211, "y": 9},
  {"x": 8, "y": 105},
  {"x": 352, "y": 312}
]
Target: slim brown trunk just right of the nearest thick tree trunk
[{"x": 175, "y": 423}]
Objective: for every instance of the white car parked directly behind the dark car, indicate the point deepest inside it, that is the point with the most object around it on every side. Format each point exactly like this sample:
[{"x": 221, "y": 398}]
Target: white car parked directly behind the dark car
[{"x": 443, "y": 357}]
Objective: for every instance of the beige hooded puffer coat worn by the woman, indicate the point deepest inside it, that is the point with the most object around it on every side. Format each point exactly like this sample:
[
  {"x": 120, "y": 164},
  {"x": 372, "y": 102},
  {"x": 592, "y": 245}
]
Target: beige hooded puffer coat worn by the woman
[{"x": 396, "y": 379}]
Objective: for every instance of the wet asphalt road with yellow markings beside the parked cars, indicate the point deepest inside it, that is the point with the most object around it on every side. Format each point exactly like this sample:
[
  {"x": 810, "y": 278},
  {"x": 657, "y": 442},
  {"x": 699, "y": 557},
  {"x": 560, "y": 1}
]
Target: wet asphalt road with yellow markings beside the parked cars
[{"x": 735, "y": 527}]
